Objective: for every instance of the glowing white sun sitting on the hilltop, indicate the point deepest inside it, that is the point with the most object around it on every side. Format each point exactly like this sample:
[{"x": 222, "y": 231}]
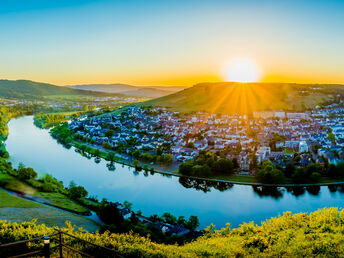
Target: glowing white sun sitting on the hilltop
[{"x": 242, "y": 70}]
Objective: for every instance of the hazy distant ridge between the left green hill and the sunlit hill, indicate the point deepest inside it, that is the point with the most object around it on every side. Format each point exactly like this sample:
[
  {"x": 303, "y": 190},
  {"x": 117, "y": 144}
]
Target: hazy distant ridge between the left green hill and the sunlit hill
[{"x": 130, "y": 90}]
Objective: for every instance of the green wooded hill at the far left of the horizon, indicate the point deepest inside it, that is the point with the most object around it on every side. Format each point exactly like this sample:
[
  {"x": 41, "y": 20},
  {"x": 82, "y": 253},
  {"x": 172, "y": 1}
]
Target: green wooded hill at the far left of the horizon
[{"x": 29, "y": 89}]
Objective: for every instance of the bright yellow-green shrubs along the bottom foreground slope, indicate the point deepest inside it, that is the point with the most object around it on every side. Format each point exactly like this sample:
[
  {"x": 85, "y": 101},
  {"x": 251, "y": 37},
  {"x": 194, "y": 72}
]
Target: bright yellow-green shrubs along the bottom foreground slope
[{"x": 301, "y": 235}]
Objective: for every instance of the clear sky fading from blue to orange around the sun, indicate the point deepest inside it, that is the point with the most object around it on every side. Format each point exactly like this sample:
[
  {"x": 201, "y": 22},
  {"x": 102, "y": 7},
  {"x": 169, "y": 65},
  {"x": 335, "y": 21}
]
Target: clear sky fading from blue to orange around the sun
[{"x": 170, "y": 42}]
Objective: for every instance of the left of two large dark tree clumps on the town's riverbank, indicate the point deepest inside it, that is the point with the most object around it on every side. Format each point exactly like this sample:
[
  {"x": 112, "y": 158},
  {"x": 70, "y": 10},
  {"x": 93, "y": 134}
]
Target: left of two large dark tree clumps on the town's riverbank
[{"x": 208, "y": 164}]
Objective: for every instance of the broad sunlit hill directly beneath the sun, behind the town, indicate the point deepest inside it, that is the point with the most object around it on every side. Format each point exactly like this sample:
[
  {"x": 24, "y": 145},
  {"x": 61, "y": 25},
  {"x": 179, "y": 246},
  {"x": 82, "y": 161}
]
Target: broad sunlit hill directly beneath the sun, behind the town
[{"x": 245, "y": 98}]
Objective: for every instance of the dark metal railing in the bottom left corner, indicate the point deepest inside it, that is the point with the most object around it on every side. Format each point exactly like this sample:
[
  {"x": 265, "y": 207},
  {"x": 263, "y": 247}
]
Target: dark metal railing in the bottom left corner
[{"x": 12, "y": 249}]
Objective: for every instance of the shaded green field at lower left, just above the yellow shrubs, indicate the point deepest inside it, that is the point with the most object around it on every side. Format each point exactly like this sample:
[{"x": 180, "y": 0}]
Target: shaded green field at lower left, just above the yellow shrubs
[{"x": 16, "y": 209}]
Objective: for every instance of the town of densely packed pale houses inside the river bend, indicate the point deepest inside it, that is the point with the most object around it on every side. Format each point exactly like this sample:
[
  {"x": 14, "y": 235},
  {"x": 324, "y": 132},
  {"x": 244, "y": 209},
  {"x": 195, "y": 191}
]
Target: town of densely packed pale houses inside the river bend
[{"x": 315, "y": 136}]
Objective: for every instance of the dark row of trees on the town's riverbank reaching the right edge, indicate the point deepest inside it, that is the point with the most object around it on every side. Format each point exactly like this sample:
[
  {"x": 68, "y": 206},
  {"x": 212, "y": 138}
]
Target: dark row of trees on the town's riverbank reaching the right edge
[{"x": 271, "y": 174}]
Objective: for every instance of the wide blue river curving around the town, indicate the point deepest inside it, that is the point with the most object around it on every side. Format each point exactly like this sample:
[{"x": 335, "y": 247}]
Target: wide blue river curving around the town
[{"x": 156, "y": 194}]
